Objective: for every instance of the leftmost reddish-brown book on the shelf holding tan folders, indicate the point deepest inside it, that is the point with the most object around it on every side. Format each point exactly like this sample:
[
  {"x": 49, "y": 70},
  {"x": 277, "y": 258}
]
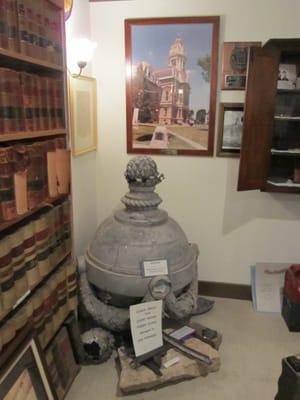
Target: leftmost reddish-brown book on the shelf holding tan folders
[{"x": 7, "y": 193}]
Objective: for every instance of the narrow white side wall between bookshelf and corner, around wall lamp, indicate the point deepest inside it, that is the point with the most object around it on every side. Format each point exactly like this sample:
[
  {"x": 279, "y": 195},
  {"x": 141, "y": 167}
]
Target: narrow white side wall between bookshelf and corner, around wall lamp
[{"x": 84, "y": 166}]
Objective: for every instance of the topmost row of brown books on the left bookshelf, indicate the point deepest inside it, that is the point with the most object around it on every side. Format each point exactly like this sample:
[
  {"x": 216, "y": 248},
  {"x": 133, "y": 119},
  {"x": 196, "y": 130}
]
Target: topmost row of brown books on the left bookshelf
[{"x": 32, "y": 27}]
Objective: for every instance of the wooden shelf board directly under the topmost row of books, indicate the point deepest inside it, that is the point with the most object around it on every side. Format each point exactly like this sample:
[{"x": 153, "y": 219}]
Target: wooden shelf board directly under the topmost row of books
[{"x": 17, "y": 60}]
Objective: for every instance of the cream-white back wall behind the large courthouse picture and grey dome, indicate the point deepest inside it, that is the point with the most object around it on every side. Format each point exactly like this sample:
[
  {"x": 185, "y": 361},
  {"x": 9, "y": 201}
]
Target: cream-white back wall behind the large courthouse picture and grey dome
[{"x": 233, "y": 230}]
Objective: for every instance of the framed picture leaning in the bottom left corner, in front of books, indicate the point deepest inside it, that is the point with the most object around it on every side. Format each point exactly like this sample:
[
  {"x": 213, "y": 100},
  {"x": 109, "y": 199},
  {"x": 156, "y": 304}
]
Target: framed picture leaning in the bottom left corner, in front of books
[{"x": 25, "y": 378}]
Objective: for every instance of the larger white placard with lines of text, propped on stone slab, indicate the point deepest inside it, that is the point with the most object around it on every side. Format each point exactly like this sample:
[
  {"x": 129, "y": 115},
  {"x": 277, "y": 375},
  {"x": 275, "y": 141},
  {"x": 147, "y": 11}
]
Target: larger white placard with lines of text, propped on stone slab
[{"x": 146, "y": 326}]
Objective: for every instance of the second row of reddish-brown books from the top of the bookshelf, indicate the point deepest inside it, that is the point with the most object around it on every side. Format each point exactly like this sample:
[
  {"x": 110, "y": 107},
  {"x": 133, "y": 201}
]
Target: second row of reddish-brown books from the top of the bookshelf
[{"x": 30, "y": 102}]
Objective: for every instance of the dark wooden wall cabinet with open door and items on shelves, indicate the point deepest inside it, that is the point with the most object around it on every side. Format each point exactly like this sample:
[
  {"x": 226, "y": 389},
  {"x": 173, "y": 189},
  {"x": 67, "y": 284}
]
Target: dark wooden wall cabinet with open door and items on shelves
[{"x": 270, "y": 152}]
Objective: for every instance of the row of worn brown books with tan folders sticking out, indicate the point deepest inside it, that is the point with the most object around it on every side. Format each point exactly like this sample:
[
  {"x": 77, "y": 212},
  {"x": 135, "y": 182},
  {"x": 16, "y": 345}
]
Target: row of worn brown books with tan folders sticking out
[{"x": 30, "y": 174}]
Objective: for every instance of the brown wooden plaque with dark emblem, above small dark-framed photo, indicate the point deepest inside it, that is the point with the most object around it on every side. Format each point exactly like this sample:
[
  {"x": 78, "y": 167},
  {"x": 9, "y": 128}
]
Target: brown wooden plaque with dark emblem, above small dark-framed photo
[{"x": 234, "y": 64}]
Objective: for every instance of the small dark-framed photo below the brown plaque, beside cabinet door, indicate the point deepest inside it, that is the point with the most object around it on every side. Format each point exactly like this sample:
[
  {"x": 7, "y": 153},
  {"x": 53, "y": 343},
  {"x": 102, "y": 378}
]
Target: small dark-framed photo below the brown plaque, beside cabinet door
[{"x": 230, "y": 129}]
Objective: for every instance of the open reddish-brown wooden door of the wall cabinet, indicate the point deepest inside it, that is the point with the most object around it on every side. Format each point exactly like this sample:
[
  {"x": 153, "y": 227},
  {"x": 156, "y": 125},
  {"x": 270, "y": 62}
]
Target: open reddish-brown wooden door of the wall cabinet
[{"x": 258, "y": 118}]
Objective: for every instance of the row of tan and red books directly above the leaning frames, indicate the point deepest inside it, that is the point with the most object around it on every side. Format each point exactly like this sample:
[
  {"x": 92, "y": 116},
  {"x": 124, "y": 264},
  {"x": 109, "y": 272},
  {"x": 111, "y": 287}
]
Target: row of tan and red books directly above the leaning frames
[{"x": 47, "y": 308}]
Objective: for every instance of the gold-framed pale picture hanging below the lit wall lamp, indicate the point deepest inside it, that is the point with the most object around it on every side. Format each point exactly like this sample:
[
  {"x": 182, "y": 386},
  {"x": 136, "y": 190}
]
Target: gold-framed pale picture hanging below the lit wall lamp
[{"x": 83, "y": 117}]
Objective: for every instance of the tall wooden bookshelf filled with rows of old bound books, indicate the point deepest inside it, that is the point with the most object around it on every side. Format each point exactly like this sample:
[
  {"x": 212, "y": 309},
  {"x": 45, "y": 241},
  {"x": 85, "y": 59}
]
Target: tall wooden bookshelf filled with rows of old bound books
[{"x": 37, "y": 275}]
